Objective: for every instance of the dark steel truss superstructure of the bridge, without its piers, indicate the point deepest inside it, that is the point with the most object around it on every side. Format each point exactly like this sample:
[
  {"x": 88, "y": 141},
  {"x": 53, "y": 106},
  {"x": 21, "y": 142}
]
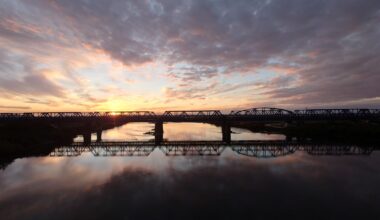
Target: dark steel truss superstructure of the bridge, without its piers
[{"x": 264, "y": 113}]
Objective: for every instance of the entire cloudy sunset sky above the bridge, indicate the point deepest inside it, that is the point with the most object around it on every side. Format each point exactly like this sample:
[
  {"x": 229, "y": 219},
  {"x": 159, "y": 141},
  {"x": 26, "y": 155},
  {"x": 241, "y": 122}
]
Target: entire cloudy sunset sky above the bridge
[{"x": 82, "y": 55}]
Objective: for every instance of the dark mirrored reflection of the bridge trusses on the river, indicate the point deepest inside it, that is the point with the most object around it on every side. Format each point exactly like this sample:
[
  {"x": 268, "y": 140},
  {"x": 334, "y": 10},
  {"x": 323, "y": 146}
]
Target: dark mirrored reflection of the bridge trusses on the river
[{"x": 258, "y": 149}]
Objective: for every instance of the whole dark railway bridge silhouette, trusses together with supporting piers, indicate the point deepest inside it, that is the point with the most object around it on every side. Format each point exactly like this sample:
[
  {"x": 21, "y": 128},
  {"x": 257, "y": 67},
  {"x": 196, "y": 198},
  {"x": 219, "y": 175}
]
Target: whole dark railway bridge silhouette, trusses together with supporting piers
[{"x": 201, "y": 116}]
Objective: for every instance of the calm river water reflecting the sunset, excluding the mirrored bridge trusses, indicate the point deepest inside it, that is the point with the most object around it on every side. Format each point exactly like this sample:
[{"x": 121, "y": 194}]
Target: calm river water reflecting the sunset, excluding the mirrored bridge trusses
[{"x": 228, "y": 186}]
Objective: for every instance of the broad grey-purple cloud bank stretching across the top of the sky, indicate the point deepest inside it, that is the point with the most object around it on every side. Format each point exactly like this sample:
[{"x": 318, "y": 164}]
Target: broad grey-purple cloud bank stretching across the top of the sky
[{"x": 330, "y": 47}]
